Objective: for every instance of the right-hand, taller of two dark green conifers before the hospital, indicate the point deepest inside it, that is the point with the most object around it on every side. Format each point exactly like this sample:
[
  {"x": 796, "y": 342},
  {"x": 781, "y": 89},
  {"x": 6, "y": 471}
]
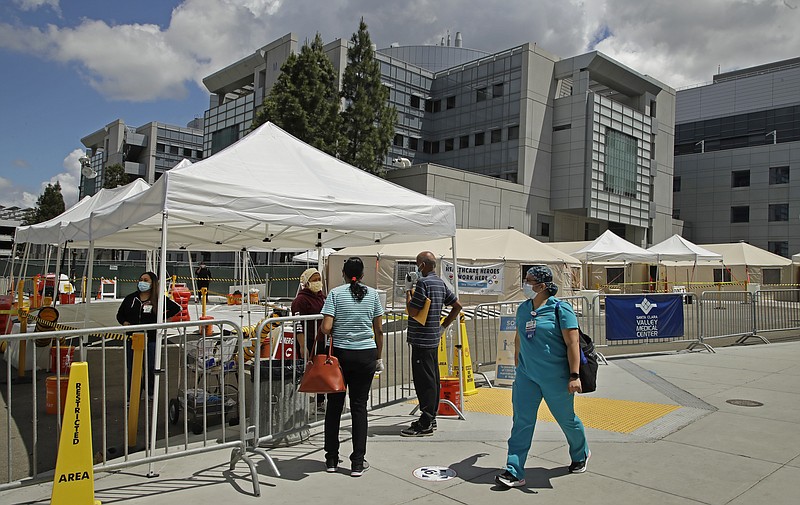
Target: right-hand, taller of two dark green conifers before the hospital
[{"x": 368, "y": 122}]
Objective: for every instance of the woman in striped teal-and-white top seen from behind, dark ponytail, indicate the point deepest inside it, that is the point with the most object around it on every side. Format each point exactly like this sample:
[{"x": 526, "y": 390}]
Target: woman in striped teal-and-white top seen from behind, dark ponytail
[{"x": 353, "y": 317}]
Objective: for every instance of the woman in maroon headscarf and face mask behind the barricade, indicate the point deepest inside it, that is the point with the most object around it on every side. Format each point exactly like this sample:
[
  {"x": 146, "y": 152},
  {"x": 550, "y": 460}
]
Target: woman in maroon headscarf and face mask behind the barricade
[{"x": 308, "y": 302}]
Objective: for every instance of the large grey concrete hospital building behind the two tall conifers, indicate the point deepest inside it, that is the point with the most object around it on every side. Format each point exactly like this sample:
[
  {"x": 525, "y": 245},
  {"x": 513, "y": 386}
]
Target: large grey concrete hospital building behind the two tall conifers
[{"x": 584, "y": 143}]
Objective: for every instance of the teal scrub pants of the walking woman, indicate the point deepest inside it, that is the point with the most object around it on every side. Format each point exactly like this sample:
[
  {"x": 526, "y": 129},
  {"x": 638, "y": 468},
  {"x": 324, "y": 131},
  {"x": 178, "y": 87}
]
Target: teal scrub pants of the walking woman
[{"x": 526, "y": 395}]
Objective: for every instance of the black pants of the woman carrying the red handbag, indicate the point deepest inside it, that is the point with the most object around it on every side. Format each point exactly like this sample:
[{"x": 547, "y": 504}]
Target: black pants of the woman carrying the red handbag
[{"x": 358, "y": 368}]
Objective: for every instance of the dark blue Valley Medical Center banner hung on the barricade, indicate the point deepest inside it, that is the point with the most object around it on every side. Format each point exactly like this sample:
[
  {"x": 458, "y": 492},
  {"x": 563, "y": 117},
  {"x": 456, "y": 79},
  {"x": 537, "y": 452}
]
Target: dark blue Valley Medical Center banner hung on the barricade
[{"x": 643, "y": 317}]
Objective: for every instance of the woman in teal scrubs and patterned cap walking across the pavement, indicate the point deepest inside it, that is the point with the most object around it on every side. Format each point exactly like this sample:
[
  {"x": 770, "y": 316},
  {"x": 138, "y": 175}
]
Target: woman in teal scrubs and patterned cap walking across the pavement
[{"x": 547, "y": 359}]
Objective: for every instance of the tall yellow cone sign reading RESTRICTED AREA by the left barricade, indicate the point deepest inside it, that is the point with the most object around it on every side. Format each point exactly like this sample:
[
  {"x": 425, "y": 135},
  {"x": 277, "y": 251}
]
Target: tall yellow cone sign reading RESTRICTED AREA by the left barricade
[{"x": 73, "y": 482}]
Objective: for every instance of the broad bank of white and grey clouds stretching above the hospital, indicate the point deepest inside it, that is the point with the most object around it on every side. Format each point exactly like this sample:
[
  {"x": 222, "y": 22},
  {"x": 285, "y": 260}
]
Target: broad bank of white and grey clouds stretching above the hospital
[{"x": 677, "y": 41}]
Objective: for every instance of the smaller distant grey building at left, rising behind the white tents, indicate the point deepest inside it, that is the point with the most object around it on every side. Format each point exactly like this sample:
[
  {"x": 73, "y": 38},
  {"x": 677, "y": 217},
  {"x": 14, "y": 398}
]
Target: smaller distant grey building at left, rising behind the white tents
[{"x": 146, "y": 152}]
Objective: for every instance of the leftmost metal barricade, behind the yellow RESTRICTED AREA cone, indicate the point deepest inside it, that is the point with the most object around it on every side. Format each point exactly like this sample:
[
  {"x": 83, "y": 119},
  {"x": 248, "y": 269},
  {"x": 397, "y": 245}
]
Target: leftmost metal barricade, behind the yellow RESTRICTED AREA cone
[{"x": 211, "y": 365}]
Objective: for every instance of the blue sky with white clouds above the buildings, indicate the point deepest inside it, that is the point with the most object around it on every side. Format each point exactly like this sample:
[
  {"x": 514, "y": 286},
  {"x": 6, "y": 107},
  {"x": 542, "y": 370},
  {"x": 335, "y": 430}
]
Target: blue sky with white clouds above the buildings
[{"x": 71, "y": 67}]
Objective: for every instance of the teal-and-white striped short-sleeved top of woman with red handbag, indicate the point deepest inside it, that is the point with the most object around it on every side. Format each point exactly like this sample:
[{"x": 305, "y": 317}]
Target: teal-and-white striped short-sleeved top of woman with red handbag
[{"x": 352, "y": 320}]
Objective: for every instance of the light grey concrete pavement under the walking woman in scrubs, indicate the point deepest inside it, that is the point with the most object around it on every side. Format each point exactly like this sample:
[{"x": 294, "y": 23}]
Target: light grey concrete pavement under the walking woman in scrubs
[{"x": 712, "y": 449}]
